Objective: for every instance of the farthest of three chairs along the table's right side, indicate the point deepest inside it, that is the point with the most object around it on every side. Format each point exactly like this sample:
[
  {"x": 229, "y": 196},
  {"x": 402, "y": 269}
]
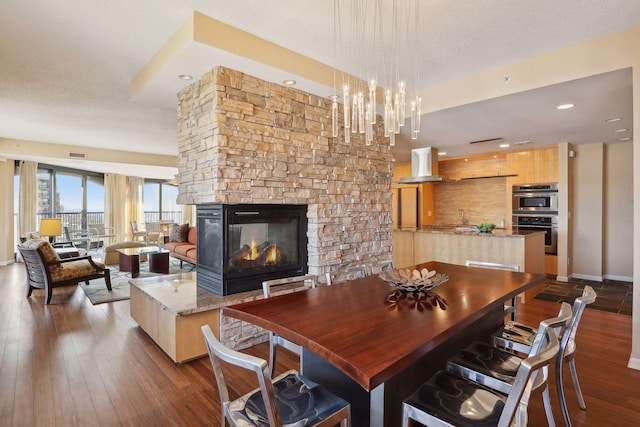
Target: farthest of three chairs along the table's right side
[{"x": 518, "y": 337}]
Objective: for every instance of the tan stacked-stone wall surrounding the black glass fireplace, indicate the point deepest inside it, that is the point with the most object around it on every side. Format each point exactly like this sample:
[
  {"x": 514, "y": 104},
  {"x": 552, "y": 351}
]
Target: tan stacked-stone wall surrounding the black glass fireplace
[{"x": 245, "y": 140}]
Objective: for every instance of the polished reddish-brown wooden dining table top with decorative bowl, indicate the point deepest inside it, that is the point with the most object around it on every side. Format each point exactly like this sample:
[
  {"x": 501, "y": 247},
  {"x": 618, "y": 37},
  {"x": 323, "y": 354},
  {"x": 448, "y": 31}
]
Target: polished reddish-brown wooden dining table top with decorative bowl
[{"x": 353, "y": 326}]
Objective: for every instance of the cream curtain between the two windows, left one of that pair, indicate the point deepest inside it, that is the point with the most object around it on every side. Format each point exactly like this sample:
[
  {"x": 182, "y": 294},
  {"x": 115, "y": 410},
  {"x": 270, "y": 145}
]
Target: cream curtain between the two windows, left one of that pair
[{"x": 115, "y": 202}]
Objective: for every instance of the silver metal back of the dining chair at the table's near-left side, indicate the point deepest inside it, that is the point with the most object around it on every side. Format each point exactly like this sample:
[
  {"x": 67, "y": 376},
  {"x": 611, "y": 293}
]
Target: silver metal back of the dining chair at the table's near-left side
[{"x": 219, "y": 353}]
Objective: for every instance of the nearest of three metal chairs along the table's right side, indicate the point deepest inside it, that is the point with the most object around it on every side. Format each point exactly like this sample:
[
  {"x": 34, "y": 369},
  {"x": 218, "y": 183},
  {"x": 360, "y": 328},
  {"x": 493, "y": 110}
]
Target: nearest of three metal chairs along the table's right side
[{"x": 451, "y": 400}]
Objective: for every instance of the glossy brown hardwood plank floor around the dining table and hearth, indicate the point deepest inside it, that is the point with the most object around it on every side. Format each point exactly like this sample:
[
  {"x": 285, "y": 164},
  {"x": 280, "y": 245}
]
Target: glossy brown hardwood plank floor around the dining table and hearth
[{"x": 74, "y": 364}]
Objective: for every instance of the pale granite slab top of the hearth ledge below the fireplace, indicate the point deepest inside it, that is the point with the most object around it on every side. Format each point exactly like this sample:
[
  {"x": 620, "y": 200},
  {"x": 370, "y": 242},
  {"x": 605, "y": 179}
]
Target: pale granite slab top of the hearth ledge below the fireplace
[{"x": 179, "y": 294}]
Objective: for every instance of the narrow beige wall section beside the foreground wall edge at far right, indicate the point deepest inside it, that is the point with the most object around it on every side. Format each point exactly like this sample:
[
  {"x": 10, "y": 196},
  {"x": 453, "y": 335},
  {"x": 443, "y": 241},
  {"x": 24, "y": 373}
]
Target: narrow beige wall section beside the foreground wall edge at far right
[{"x": 618, "y": 211}]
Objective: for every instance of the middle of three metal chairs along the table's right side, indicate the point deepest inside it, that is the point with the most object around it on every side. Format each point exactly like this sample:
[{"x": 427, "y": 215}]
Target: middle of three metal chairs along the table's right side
[{"x": 497, "y": 368}]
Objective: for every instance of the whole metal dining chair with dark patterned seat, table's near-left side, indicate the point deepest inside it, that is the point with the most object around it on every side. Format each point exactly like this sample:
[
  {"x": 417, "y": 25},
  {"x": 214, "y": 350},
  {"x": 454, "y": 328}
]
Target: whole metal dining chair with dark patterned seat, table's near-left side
[{"x": 290, "y": 399}]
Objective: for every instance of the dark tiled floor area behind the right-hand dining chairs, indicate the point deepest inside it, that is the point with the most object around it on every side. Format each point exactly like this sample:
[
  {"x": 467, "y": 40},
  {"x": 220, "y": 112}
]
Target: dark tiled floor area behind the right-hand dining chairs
[{"x": 612, "y": 295}]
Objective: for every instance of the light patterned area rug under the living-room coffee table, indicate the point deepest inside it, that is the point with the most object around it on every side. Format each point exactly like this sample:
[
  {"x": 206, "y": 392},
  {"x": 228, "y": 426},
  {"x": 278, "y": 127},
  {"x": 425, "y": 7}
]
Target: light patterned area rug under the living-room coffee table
[{"x": 97, "y": 291}]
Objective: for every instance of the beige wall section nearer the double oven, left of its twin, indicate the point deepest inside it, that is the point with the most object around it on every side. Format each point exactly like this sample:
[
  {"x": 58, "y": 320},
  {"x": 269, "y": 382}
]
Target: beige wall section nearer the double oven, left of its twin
[{"x": 587, "y": 215}]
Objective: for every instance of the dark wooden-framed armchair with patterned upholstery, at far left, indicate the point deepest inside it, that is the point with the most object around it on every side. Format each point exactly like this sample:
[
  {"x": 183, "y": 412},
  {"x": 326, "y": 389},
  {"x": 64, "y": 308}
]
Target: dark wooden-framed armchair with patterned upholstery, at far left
[{"x": 45, "y": 269}]
